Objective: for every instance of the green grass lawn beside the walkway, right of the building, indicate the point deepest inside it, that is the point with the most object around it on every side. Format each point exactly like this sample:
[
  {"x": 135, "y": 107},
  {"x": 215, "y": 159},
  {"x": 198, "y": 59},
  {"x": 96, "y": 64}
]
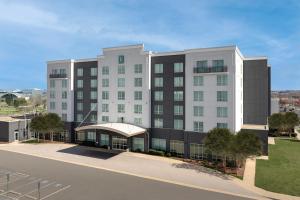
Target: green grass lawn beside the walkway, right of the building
[{"x": 281, "y": 173}]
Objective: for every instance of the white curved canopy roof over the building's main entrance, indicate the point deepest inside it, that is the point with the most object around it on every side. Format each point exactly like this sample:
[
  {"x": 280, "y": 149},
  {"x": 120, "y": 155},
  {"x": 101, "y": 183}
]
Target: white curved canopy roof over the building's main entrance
[{"x": 127, "y": 130}]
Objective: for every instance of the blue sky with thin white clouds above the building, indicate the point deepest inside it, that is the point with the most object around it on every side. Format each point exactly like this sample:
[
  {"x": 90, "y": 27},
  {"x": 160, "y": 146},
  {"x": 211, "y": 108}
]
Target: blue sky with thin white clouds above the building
[{"x": 32, "y": 32}]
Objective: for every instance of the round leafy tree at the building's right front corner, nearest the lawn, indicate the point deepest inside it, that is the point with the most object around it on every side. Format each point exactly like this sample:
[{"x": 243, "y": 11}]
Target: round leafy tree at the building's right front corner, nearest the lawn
[{"x": 244, "y": 144}]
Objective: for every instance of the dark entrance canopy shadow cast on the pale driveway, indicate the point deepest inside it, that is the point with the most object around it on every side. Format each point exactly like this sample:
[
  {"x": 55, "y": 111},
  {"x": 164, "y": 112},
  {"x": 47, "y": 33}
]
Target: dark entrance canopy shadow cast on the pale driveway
[{"x": 91, "y": 152}]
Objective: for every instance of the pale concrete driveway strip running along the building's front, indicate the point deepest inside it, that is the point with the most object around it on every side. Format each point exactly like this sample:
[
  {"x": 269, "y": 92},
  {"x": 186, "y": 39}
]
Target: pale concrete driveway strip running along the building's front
[{"x": 141, "y": 165}]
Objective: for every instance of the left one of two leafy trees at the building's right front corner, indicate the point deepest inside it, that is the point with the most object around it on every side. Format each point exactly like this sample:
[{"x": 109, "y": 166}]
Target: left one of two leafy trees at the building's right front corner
[{"x": 218, "y": 141}]
